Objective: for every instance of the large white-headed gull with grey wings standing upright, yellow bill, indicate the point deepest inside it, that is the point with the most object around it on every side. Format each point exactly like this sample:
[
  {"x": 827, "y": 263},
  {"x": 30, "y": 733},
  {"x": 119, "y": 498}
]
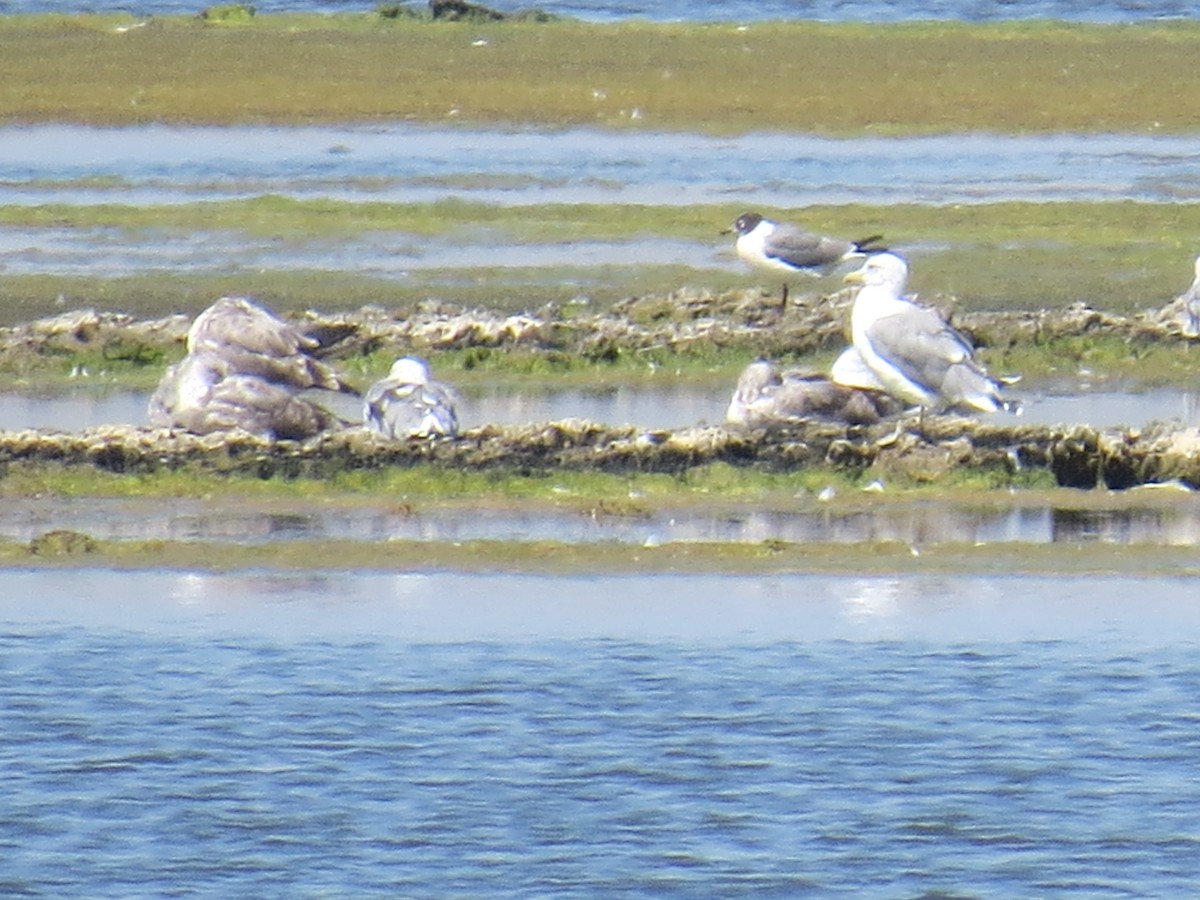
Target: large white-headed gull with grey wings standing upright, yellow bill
[{"x": 911, "y": 350}]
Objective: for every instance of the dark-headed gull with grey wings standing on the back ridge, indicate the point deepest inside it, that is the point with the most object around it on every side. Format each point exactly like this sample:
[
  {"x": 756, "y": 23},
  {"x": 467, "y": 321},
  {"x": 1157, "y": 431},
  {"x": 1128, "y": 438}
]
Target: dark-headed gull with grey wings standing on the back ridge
[{"x": 777, "y": 248}]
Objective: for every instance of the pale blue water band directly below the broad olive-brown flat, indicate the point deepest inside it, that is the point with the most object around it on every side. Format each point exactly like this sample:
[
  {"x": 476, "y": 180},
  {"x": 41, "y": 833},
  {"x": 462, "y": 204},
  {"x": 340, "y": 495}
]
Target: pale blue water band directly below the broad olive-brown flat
[{"x": 411, "y": 164}]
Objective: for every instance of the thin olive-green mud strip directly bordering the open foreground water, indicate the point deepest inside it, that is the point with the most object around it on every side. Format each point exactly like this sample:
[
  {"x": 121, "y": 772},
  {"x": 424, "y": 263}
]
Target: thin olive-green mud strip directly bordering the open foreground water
[{"x": 74, "y": 550}]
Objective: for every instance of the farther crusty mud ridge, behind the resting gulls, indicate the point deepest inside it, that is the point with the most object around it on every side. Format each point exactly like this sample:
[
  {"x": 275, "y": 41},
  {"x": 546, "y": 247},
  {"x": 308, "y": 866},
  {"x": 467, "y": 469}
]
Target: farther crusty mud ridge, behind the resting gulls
[{"x": 689, "y": 317}]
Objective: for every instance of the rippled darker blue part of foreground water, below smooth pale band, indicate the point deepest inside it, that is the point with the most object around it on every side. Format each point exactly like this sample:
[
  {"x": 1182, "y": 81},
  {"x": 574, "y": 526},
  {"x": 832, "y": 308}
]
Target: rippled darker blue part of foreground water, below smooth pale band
[{"x": 597, "y": 767}]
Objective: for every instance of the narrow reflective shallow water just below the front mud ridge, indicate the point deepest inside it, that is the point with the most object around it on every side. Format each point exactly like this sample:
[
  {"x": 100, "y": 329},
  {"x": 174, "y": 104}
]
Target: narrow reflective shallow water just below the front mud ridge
[{"x": 920, "y": 525}]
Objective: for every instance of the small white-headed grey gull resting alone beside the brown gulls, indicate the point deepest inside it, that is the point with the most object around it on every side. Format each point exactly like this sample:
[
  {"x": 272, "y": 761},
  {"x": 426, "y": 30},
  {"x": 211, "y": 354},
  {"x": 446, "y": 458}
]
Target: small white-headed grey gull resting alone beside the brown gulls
[{"x": 411, "y": 404}]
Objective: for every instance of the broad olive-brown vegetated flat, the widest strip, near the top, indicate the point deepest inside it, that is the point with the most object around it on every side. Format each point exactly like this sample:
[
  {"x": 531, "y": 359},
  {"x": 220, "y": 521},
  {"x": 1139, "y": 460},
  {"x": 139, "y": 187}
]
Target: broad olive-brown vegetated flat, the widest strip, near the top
[{"x": 795, "y": 76}]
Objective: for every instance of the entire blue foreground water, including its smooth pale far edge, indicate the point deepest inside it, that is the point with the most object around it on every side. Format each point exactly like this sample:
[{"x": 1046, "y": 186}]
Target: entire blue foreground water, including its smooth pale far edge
[{"x": 512, "y": 736}]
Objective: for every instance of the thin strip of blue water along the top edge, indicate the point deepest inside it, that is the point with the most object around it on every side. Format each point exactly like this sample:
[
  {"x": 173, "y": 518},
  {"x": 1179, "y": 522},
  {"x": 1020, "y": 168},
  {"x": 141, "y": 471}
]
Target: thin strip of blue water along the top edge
[{"x": 710, "y": 10}]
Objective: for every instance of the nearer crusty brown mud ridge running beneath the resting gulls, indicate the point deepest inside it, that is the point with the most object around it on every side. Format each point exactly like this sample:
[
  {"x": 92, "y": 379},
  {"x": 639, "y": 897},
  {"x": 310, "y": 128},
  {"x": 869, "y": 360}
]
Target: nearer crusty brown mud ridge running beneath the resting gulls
[{"x": 915, "y": 452}]
